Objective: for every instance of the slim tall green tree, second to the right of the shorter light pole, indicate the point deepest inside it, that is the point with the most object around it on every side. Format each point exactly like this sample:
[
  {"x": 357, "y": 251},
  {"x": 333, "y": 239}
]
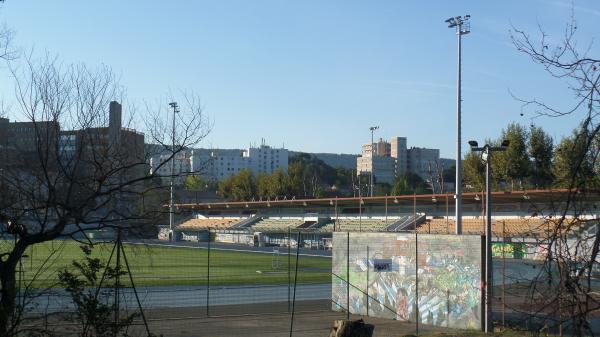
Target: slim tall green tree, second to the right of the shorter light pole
[{"x": 540, "y": 150}]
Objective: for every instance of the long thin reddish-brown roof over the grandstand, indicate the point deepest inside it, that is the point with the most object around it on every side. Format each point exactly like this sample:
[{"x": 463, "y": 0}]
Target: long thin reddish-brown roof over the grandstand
[{"x": 533, "y": 196}]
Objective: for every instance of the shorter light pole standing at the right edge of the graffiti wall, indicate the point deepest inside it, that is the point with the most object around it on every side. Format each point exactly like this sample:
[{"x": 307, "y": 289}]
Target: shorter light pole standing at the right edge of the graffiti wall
[{"x": 486, "y": 156}]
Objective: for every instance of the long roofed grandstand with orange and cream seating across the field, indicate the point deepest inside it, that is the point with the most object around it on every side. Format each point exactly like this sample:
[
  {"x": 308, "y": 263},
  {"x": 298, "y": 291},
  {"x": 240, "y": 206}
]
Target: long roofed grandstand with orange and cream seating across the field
[{"x": 272, "y": 223}]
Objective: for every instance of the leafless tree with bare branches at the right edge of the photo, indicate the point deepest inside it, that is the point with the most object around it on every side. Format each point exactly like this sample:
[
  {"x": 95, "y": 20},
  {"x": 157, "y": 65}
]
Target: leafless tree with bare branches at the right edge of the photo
[{"x": 564, "y": 293}]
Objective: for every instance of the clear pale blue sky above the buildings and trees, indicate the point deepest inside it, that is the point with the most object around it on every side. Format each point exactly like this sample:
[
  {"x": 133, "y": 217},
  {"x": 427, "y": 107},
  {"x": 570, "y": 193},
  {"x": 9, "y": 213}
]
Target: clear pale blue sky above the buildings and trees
[{"x": 314, "y": 74}]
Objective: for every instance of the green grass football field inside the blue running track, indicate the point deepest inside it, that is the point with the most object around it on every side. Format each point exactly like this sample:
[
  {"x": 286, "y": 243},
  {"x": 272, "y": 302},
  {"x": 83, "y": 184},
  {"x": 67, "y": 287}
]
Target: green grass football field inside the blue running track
[{"x": 154, "y": 265}]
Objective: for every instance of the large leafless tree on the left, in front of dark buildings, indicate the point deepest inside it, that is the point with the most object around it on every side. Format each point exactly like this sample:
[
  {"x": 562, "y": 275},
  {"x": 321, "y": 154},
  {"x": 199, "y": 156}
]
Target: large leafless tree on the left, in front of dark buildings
[{"x": 71, "y": 168}]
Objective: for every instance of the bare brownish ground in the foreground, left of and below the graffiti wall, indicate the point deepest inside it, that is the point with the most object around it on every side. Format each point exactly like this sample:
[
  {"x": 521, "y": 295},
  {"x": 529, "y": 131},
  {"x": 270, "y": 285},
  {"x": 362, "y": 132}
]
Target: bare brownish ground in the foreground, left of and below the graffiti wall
[{"x": 312, "y": 319}]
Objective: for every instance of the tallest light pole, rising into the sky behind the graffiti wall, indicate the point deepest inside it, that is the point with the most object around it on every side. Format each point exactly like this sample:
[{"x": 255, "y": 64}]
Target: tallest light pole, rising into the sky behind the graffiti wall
[{"x": 462, "y": 27}]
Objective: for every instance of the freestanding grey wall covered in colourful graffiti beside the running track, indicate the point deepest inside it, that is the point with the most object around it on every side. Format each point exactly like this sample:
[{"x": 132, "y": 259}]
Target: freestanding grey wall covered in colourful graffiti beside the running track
[{"x": 383, "y": 268}]
